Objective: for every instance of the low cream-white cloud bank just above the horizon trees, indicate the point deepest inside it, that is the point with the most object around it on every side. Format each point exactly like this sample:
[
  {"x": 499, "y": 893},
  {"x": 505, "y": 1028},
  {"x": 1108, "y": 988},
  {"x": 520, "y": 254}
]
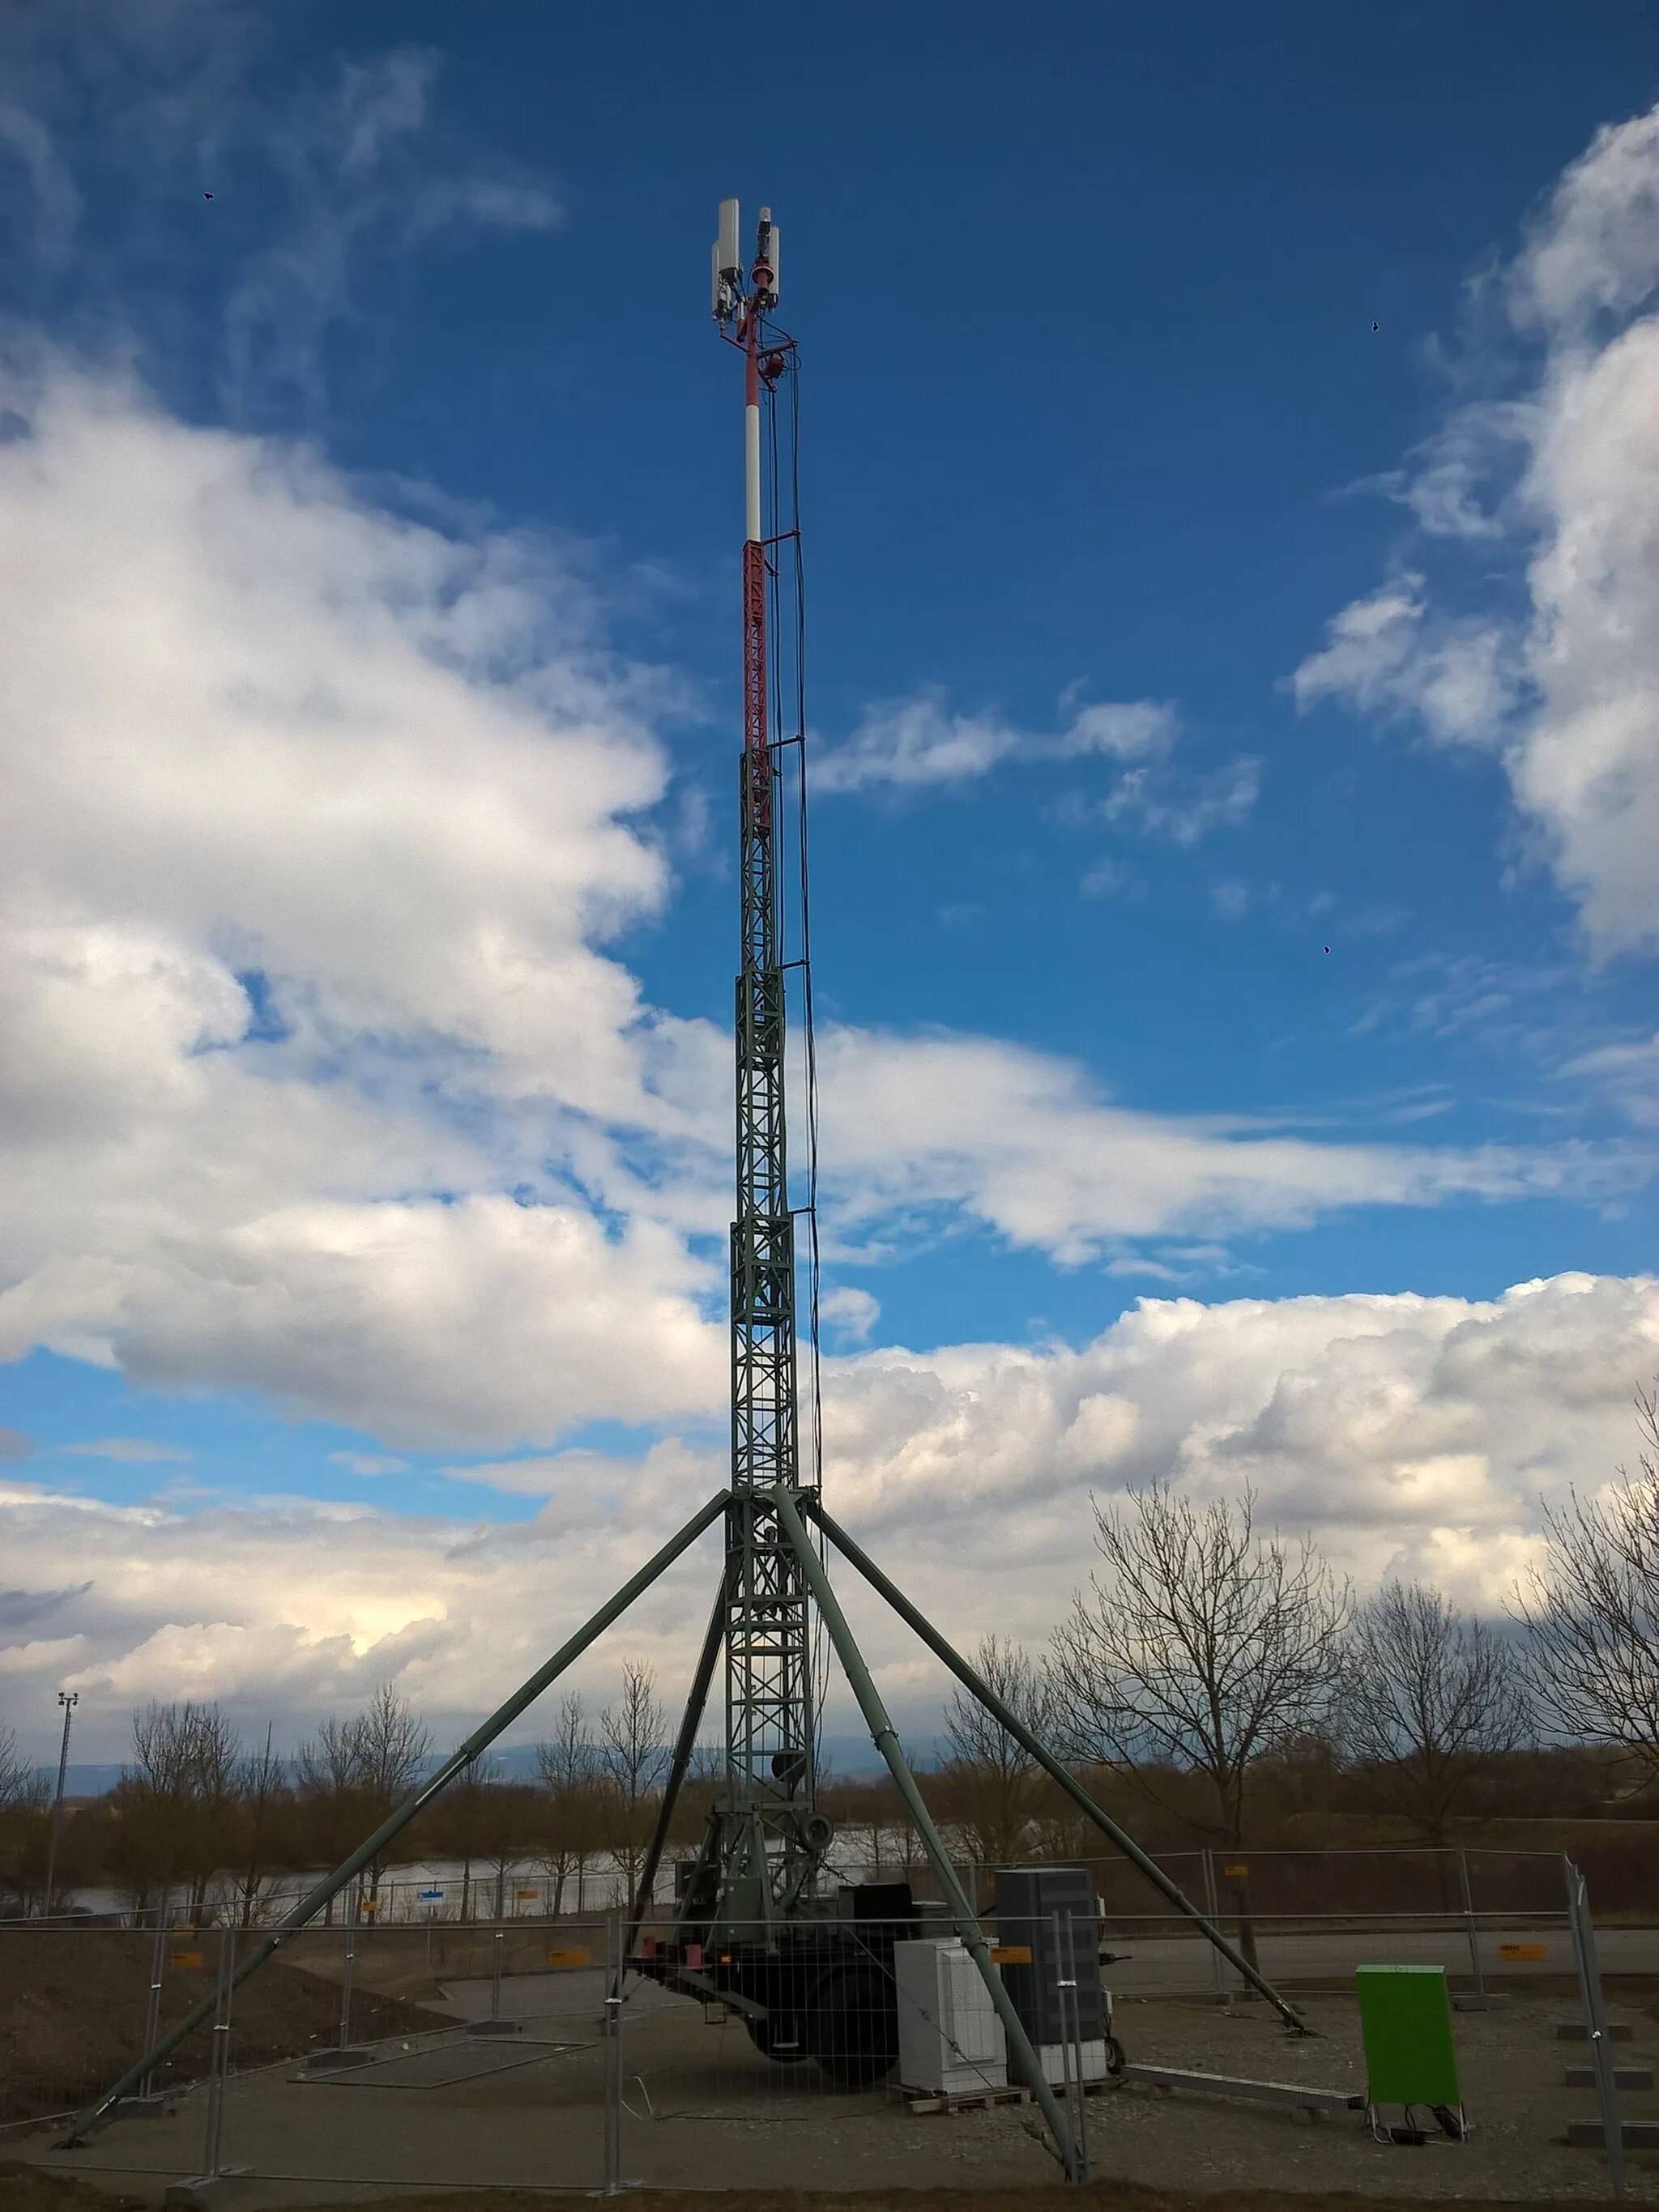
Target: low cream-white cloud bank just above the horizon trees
[{"x": 1408, "y": 1434}]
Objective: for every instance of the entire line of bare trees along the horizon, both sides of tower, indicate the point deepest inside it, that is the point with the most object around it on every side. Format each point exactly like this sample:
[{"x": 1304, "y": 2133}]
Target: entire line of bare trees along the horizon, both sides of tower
[{"x": 1215, "y": 1671}]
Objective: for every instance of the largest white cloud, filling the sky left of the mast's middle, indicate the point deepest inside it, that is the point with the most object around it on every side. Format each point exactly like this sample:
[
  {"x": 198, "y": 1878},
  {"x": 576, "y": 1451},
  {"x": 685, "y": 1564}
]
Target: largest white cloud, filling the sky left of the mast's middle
[{"x": 313, "y": 1058}]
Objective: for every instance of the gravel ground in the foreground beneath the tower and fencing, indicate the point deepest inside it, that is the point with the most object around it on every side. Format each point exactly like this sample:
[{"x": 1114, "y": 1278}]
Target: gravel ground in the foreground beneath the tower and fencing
[{"x": 707, "y": 2111}]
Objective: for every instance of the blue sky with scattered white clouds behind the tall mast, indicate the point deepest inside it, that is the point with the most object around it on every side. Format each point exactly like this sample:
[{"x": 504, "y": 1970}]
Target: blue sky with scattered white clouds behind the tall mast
[{"x": 1211, "y": 364}]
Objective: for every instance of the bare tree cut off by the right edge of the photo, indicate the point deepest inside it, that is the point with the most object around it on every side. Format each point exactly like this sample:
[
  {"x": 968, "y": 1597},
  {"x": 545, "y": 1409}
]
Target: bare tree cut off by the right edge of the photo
[{"x": 1594, "y": 1609}]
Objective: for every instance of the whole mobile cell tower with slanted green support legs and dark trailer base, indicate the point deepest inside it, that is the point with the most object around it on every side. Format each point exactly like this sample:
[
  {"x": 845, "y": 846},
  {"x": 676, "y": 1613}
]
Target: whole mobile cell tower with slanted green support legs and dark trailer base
[{"x": 804, "y": 1961}]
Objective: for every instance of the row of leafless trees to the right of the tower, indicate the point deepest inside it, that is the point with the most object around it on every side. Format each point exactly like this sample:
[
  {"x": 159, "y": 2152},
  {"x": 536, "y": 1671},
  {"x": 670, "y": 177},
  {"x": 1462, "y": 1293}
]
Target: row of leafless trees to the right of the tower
[{"x": 1211, "y": 1649}]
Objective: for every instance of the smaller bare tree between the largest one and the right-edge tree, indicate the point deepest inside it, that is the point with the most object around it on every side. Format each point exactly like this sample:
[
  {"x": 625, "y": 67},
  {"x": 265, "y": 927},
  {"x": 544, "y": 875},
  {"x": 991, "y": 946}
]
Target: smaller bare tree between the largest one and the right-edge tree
[{"x": 1428, "y": 1702}]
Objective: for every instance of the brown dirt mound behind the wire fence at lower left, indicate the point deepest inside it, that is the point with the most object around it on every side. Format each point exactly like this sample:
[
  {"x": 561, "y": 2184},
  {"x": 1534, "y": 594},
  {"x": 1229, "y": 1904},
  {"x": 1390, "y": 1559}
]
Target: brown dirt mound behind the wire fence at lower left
[{"x": 74, "y": 2007}]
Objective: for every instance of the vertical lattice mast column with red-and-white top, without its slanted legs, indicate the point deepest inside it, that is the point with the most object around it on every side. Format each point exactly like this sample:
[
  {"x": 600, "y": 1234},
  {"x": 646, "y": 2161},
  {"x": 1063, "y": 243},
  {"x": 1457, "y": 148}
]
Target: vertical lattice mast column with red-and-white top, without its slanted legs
[{"x": 766, "y": 1837}]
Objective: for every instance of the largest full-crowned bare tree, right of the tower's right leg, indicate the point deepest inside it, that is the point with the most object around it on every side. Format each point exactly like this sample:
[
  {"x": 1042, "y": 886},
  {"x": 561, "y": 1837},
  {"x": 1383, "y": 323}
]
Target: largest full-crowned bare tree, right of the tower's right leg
[{"x": 1204, "y": 1645}]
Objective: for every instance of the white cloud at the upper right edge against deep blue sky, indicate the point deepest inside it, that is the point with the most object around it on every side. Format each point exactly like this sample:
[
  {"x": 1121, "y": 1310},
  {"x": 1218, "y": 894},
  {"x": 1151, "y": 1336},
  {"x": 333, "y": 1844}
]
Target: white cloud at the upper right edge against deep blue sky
[{"x": 1572, "y": 689}]
